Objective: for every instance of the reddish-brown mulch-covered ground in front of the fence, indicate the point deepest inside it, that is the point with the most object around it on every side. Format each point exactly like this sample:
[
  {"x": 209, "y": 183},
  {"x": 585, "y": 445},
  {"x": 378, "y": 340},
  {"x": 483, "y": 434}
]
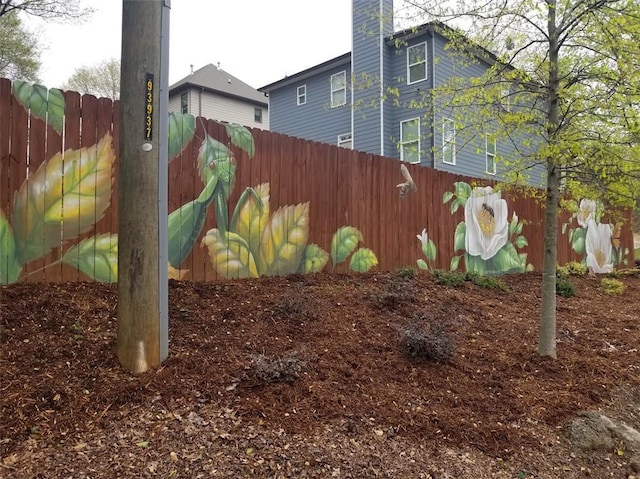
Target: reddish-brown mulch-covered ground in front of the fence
[{"x": 311, "y": 376}]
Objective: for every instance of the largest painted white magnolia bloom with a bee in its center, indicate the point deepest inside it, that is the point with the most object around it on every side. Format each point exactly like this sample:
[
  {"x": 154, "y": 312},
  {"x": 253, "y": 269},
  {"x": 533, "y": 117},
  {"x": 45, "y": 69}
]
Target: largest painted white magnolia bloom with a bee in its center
[{"x": 485, "y": 215}]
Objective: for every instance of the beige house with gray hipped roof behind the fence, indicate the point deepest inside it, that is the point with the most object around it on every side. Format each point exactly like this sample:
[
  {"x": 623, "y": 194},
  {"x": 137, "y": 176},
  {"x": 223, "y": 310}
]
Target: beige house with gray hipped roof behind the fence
[{"x": 212, "y": 93}]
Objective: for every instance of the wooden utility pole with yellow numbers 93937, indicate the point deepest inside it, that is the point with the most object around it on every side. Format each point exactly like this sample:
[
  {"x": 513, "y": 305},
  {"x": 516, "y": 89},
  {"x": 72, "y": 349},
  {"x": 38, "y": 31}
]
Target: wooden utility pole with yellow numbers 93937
[{"x": 142, "y": 201}]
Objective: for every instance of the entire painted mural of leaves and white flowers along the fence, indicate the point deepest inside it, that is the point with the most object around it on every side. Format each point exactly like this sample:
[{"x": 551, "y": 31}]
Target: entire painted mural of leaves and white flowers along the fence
[{"x": 60, "y": 203}]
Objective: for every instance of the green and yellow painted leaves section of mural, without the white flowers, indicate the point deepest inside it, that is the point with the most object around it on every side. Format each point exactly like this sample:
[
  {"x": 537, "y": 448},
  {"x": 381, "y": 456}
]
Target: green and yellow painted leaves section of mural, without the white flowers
[{"x": 69, "y": 193}]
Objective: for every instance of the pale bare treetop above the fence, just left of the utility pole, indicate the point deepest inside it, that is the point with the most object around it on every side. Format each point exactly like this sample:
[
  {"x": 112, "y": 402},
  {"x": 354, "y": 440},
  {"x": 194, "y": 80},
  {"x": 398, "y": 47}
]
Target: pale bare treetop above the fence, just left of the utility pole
[{"x": 102, "y": 79}]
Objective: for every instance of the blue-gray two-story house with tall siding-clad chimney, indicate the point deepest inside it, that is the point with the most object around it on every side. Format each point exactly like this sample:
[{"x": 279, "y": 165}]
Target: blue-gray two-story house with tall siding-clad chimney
[{"x": 346, "y": 101}]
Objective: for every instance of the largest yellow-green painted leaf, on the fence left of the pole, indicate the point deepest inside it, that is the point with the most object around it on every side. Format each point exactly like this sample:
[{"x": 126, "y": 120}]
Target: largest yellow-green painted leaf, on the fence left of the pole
[{"x": 75, "y": 187}]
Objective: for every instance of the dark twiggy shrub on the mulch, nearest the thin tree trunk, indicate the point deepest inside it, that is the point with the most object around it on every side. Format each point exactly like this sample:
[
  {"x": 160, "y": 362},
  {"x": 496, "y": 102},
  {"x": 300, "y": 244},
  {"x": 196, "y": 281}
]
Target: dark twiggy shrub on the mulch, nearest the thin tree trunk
[{"x": 430, "y": 341}]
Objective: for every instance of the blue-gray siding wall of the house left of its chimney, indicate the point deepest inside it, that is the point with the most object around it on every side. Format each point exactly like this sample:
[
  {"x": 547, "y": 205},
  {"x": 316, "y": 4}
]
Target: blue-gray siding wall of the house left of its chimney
[{"x": 315, "y": 120}]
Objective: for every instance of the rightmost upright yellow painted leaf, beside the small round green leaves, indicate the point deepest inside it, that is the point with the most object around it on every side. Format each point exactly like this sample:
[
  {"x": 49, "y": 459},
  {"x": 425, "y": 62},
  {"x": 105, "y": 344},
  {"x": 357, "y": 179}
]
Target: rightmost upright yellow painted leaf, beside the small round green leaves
[{"x": 284, "y": 240}]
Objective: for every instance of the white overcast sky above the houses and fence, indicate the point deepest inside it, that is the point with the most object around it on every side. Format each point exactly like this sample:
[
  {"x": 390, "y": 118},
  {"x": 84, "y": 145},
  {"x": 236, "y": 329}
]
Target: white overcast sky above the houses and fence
[{"x": 257, "y": 41}]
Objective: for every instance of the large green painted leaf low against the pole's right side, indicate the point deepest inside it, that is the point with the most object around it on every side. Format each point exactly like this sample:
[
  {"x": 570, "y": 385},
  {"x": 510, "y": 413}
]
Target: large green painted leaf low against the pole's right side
[{"x": 184, "y": 227}]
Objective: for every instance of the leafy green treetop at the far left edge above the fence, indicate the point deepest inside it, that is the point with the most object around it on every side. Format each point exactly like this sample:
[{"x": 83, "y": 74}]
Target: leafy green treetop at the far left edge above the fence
[{"x": 19, "y": 56}]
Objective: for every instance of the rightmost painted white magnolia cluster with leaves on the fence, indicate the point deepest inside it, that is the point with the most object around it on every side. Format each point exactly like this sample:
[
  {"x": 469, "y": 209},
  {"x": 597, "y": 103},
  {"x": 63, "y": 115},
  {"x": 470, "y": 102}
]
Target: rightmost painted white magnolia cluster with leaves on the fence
[{"x": 597, "y": 242}]
